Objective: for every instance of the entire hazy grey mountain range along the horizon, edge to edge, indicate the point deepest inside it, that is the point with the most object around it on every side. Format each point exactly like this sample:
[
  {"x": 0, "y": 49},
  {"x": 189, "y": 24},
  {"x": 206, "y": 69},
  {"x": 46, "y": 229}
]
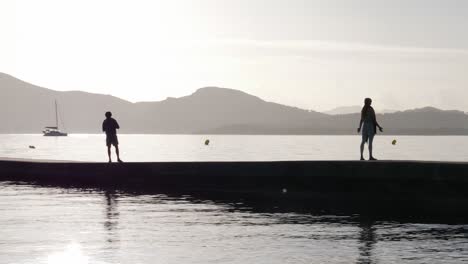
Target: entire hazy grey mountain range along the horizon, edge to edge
[{"x": 26, "y": 108}]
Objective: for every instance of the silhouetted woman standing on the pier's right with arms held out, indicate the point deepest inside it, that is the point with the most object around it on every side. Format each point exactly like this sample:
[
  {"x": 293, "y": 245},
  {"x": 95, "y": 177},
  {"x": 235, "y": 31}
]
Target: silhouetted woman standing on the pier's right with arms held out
[{"x": 369, "y": 129}]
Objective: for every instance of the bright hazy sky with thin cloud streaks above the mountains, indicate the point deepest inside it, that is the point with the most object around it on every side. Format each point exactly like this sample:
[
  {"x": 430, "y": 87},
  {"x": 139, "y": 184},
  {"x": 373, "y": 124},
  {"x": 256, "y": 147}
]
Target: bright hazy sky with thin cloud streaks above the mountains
[{"x": 312, "y": 54}]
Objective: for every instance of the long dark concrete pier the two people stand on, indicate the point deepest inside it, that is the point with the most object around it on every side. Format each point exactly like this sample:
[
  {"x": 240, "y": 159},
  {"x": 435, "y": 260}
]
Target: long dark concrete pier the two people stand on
[{"x": 439, "y": 188}]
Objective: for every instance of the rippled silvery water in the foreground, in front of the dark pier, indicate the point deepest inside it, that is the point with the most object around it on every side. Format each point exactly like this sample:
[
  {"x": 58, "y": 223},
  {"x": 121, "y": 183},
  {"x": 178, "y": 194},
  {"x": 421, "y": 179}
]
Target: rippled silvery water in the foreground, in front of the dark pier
[{"x": 69, "y": 225}]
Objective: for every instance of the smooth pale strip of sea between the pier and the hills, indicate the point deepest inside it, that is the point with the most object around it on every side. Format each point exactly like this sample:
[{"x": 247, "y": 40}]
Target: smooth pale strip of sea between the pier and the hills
[{"x": 233, "y": 148}]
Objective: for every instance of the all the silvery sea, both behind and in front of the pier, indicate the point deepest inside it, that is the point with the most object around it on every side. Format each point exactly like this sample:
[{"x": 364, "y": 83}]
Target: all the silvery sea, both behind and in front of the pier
[{"x": 50, "y": 224}]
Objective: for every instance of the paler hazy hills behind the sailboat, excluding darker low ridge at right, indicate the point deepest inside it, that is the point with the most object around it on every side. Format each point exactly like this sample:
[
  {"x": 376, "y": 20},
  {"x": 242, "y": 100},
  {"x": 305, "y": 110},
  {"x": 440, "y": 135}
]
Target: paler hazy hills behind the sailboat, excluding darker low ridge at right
[{"x": 26, "y": 108}]
